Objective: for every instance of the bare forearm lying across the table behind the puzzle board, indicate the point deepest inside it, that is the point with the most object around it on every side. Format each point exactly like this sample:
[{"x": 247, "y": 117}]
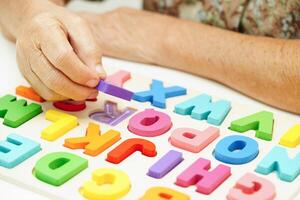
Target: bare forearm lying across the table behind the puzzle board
[{"x": 266, "y": 69}]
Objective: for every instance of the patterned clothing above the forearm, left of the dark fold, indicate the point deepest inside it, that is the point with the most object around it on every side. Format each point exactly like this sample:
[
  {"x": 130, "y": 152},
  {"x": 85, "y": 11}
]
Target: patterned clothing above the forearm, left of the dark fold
[{"x": 225, "y": 14}]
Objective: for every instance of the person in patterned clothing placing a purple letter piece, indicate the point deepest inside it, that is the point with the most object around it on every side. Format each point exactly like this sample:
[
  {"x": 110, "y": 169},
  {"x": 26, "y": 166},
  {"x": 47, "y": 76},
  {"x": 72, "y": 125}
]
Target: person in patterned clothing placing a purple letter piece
[{"x": 249, "y": 45}]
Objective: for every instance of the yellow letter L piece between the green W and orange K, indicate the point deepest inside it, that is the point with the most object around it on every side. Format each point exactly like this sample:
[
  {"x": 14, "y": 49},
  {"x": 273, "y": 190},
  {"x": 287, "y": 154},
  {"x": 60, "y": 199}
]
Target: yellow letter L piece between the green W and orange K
[{"x": 62, "y": 124}]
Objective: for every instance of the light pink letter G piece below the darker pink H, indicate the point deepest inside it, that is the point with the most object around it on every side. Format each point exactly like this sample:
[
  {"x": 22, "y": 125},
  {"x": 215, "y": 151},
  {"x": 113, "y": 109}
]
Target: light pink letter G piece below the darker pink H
[{"x": 252, "y": 187}]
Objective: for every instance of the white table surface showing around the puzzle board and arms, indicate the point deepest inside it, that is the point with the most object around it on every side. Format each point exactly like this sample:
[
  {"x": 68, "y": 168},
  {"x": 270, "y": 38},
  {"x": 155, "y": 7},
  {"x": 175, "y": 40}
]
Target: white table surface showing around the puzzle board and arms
[{"x": 10, "y": 78}]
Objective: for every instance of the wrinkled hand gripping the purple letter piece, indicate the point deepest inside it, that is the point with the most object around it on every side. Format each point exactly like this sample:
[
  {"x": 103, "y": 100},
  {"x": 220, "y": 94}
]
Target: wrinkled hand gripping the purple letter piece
[{"x": 58, "y": 55}]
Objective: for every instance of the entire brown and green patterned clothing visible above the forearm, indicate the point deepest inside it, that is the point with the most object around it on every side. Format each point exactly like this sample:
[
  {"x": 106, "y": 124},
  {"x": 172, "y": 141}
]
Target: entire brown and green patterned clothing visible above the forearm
[{"x": 274, "y": 18}]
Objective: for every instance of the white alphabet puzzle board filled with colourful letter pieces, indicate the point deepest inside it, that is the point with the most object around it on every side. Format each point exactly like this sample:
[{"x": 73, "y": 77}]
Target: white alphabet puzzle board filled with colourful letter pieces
[{"x": 240, "y": 142}]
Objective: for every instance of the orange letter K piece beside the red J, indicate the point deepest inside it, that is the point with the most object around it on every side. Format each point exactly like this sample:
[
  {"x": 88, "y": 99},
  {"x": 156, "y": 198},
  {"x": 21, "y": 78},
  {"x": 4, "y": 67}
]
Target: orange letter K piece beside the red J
[{"x": 94, "y": 143}]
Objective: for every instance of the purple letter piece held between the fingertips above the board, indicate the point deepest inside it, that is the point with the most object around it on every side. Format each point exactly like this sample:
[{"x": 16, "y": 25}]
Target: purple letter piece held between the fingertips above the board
[{"x": 115, "y": 90}]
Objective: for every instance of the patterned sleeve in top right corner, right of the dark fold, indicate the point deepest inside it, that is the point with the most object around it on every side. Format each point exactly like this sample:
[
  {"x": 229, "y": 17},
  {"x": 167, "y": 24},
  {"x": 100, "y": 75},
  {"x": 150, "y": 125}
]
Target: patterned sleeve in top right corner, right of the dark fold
[{"x": 274, "y": 18}]
